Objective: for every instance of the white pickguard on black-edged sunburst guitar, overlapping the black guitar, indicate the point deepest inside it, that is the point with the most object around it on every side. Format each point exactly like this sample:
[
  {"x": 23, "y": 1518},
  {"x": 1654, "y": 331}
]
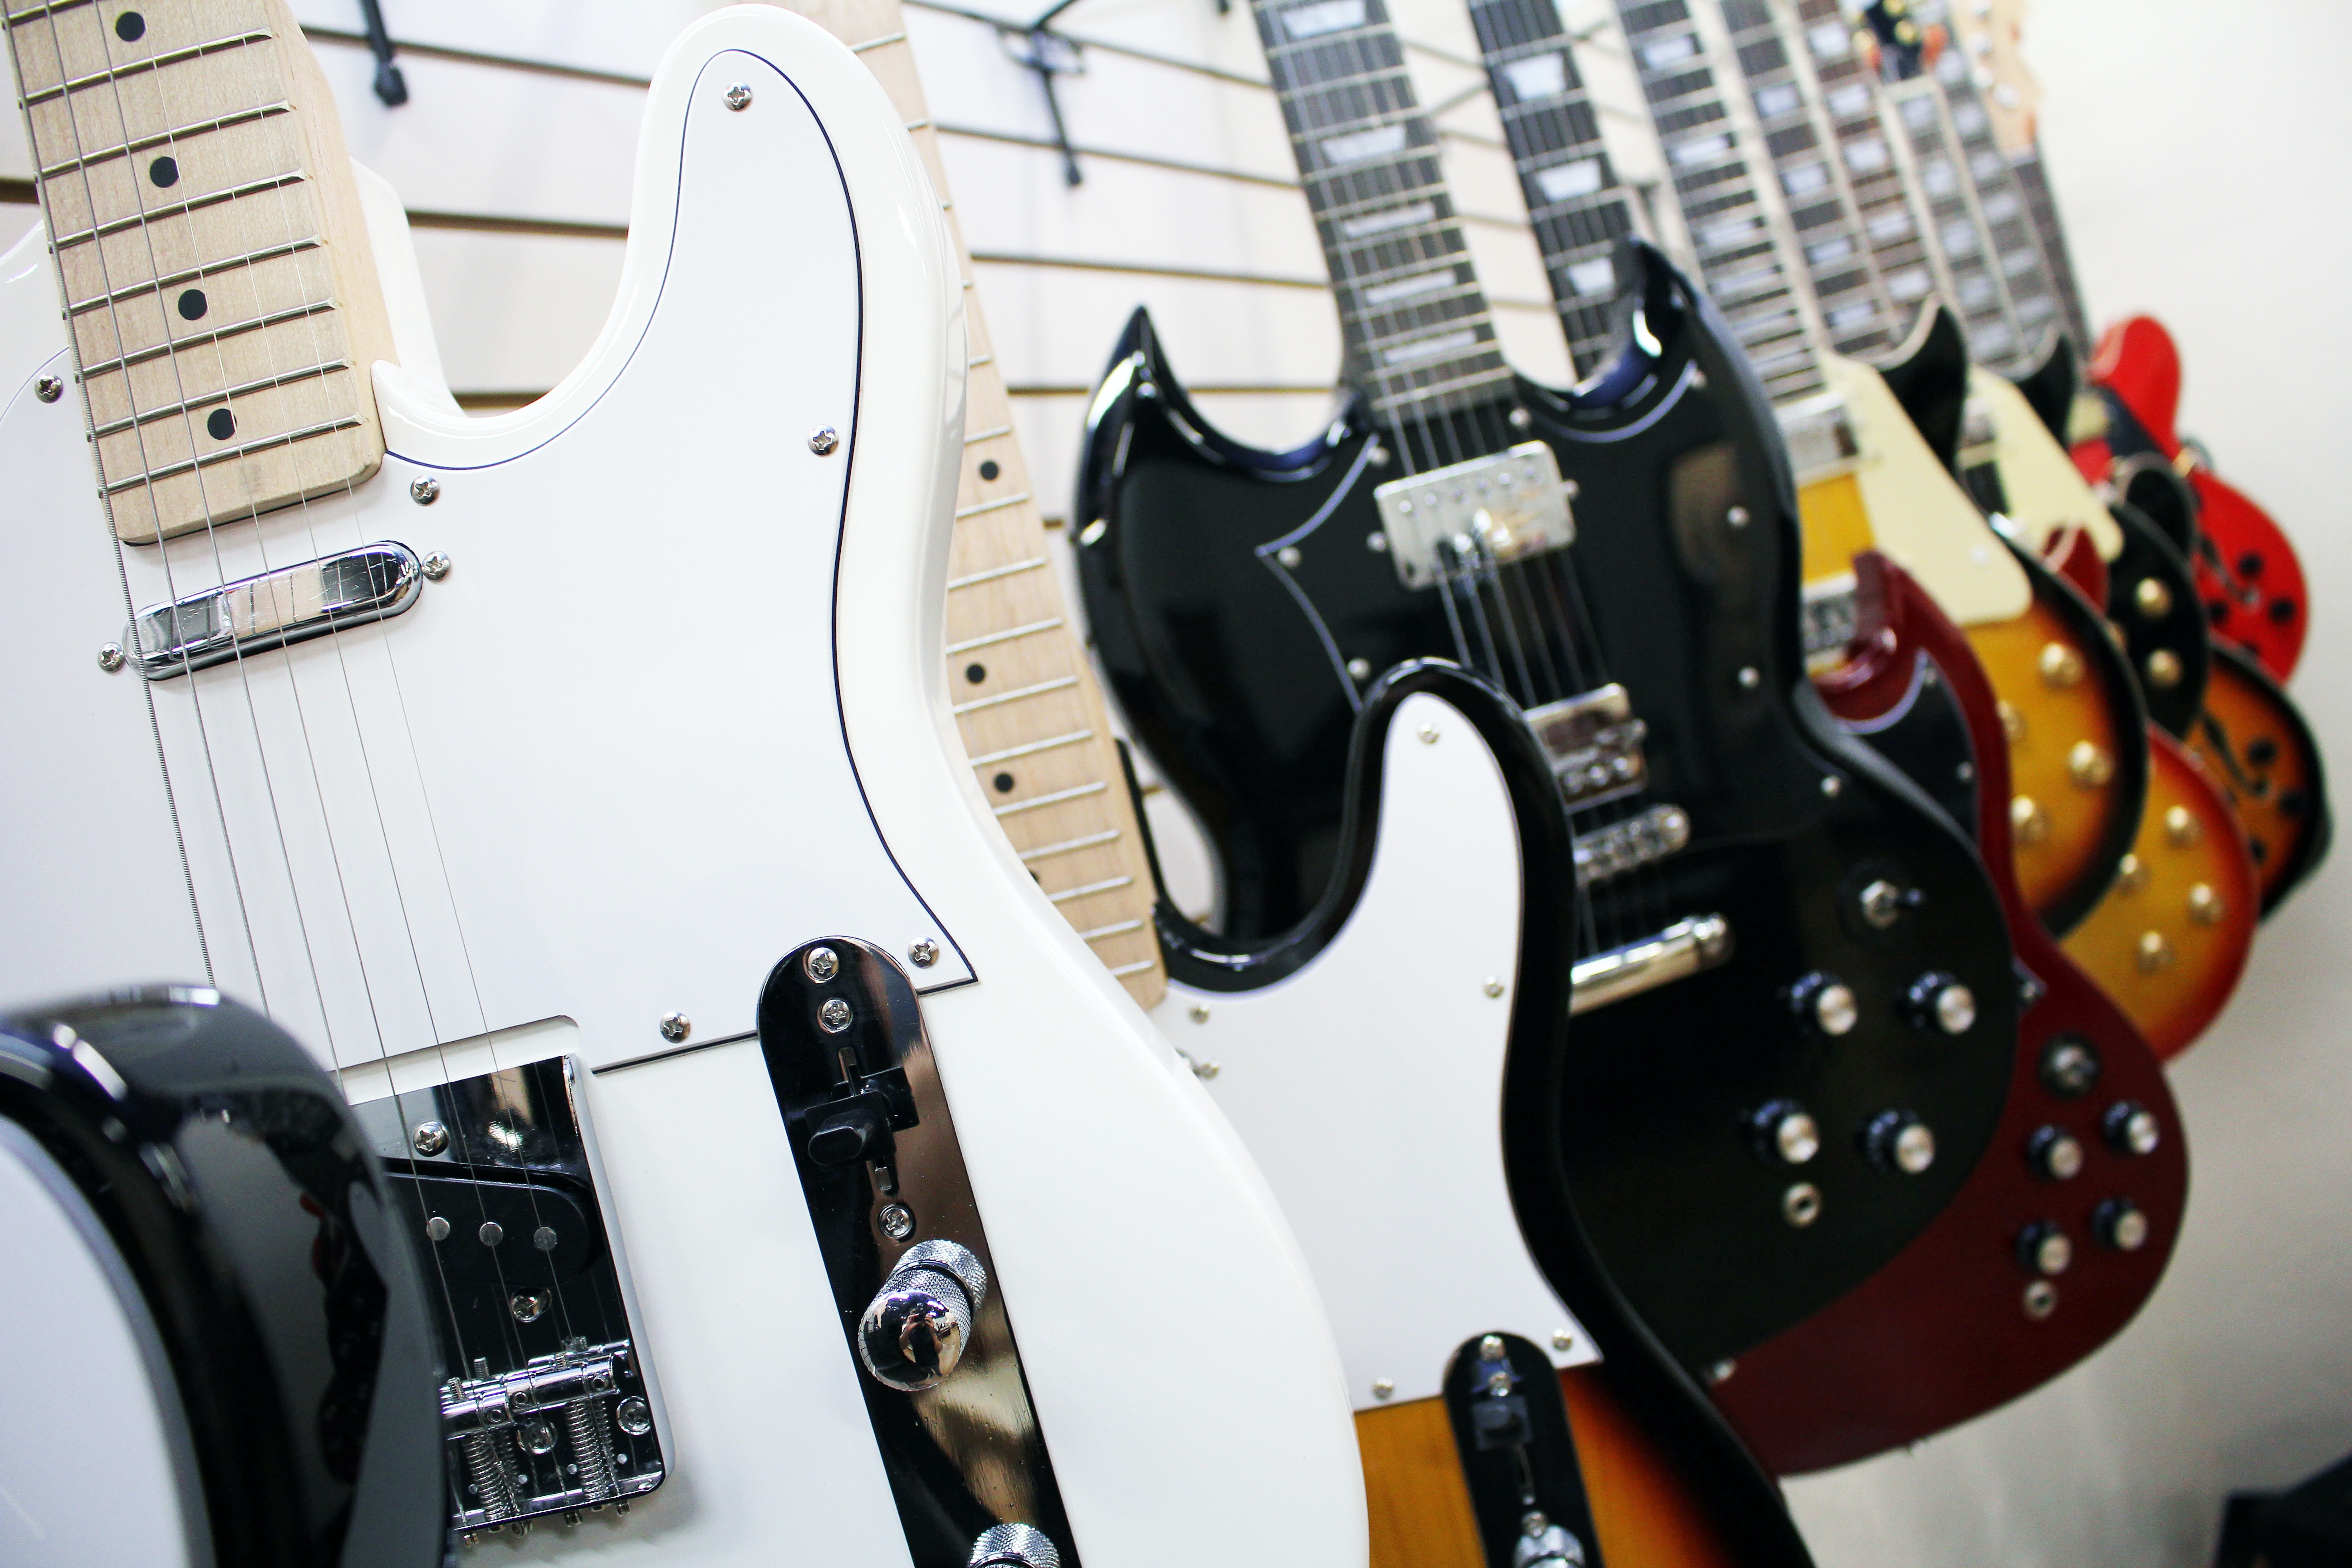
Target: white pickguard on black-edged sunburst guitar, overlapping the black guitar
[{"x": 1370, "y": 1085}]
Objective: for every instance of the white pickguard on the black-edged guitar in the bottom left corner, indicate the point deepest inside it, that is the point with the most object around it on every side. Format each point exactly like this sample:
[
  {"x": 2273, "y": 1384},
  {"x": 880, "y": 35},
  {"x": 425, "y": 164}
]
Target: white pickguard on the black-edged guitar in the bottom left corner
[{"x": 91, "y": 1452}]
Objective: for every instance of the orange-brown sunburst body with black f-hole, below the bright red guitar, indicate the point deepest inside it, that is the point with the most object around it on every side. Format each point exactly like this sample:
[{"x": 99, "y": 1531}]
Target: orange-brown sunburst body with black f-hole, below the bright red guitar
[{"x": 2254, "y": 742}]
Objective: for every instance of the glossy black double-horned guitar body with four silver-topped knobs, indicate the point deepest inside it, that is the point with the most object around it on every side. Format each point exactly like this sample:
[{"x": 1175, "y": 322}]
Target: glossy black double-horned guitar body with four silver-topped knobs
[{"x": 1231, "y": 594}]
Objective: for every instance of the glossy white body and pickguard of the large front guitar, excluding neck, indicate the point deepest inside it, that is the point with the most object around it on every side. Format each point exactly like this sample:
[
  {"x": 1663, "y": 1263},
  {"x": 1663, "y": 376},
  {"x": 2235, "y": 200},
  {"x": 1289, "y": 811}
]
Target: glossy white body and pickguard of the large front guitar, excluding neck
[{"x": 674, "y": 713}]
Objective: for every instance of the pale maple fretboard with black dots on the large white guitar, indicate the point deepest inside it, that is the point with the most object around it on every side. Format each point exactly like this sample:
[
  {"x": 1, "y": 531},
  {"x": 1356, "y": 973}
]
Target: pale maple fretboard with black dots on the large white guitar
[{"x": 222, "y": 297}]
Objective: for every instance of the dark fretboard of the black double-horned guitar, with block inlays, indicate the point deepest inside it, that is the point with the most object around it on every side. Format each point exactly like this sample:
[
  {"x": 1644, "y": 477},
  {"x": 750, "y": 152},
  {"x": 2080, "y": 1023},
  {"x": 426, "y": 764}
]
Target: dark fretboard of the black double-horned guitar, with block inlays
[{"x": 1415, "y": 323}]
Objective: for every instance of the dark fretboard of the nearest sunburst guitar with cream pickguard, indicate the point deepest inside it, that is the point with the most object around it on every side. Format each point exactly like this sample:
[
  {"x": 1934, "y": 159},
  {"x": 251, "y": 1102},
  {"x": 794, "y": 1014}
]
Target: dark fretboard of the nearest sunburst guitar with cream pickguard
[{"x": 1716, "y": 182}]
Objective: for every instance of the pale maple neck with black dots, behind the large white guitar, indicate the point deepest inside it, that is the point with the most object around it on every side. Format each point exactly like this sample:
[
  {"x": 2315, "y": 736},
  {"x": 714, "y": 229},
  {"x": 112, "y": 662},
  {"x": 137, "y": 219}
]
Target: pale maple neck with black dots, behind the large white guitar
[{"x": 1027, "y": 702}]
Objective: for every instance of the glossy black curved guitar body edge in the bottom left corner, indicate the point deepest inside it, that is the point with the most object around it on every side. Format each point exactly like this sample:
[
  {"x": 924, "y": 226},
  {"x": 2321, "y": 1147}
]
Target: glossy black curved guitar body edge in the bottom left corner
[{"x": 241, "y": 1195}]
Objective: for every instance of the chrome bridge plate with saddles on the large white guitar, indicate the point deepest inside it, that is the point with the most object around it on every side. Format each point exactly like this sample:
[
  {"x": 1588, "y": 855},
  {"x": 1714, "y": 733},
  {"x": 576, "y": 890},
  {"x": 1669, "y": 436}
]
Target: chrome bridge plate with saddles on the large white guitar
[{"x": 549, "y": 1409}]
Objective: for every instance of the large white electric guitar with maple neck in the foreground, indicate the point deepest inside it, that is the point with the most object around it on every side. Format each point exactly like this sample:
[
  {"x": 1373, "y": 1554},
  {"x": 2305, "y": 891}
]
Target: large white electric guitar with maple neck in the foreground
[{"x": 582, "y": 789}]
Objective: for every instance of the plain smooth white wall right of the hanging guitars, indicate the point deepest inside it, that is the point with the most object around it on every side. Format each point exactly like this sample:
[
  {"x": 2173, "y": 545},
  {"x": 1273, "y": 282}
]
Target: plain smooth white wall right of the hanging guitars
[{"x": 2200, "y": 159}]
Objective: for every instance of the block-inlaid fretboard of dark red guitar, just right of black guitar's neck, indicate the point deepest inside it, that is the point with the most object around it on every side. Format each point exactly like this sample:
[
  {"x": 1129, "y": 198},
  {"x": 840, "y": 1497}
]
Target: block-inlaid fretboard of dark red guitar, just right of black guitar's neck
[{"x": 1575, "y": 201}]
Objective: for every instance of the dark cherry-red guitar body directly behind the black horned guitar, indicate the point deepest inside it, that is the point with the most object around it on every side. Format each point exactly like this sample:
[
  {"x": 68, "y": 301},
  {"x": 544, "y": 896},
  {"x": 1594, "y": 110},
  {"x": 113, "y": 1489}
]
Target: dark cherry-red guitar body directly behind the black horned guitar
[{"x": 1972, "y": 1313}]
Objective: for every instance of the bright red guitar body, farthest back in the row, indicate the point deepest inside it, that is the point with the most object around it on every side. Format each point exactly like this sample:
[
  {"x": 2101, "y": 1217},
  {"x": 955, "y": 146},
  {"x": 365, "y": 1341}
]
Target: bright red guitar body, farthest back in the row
[{"x": 2247, "y": 572}]
